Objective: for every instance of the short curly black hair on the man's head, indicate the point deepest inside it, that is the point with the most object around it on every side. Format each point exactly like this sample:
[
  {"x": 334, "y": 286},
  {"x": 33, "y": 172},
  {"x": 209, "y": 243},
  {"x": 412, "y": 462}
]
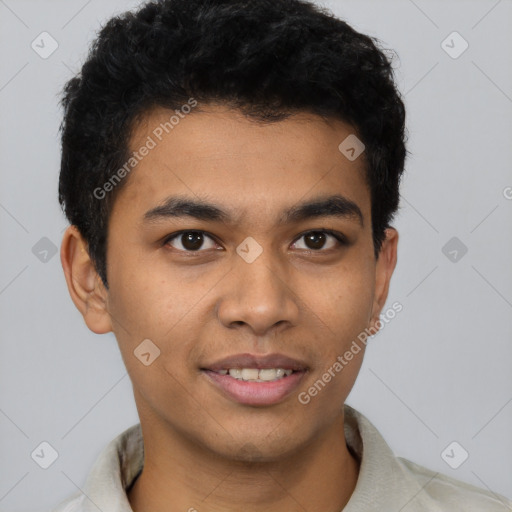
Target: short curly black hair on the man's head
[{"x": 266, "y": 58}]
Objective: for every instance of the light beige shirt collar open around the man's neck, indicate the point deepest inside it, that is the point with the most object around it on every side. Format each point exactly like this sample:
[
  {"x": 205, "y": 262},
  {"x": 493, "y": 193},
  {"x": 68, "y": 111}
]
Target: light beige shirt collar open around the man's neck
[{"x": 385, "y": 482}]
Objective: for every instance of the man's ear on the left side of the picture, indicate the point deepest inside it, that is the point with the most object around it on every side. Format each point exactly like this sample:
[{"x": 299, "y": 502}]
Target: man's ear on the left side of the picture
[{"x": 84, "y": 284}]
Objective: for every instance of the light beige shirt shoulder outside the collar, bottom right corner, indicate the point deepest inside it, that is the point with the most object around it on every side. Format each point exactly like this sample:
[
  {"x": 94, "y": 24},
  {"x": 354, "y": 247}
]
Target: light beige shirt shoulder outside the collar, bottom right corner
[{"x": 453, "y": 495}]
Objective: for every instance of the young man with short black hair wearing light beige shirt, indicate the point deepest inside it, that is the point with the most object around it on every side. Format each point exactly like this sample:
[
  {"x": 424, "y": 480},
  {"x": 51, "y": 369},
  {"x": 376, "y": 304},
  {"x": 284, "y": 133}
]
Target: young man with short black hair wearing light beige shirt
[{"x": 230, "y": 170}]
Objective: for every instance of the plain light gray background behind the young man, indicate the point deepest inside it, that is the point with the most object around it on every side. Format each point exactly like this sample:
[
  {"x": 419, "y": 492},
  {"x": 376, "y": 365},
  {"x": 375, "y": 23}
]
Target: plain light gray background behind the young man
[{"x": 439, "y": 372}]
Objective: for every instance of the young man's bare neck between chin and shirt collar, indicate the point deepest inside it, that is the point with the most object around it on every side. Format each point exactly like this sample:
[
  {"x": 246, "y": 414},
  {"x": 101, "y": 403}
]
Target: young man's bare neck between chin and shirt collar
[{"x": 321, "y": 476}]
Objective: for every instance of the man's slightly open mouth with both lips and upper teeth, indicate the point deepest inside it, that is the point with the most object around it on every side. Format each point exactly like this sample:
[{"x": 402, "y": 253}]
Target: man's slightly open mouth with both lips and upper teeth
[{"x": 255, "y": 380}]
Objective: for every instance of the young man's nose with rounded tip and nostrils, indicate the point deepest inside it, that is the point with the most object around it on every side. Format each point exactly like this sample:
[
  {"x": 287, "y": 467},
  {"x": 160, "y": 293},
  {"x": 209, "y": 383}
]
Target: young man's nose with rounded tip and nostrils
[{"x": 258, "y": 295}]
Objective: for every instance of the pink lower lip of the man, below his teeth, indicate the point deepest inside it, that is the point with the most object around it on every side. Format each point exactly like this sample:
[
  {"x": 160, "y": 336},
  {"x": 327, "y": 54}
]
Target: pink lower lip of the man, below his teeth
[{"x": 255, "y": 393}]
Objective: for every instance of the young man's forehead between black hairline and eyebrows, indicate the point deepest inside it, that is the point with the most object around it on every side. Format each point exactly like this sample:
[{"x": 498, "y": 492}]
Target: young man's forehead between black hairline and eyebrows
[{"x": 219, "y": 154}]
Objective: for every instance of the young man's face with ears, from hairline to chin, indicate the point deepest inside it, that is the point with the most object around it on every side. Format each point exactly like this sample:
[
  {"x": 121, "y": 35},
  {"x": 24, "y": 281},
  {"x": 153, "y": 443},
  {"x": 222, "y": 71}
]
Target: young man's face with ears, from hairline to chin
[{"x": 249, "y": 277}]
